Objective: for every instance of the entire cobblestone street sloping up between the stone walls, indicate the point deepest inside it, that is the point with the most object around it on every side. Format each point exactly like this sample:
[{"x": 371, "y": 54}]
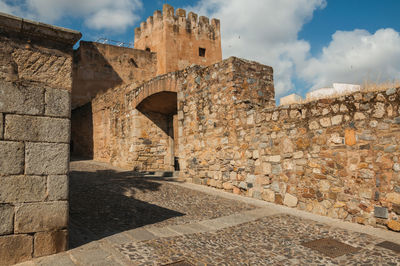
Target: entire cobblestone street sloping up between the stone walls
[{"x": 241, "y": 231}]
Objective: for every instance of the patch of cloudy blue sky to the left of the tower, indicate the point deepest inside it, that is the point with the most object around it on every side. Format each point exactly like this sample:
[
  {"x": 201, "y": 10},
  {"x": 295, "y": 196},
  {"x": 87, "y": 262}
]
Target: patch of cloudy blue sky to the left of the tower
[{"x": 114, "y": 15}]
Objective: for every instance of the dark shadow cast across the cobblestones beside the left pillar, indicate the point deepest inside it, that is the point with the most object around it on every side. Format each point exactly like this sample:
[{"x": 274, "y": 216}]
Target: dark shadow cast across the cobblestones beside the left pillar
[{"x": 102, "y": 203}]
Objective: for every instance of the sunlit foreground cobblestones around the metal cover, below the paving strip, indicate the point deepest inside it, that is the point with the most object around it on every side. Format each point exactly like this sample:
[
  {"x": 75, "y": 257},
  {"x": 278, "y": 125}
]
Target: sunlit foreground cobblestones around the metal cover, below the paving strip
[{"x": 270, "y": 240}]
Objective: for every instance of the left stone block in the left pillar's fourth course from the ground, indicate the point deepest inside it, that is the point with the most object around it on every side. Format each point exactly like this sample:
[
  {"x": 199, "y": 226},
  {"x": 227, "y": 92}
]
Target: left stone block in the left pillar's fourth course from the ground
[{"x": 11, "y": 157}]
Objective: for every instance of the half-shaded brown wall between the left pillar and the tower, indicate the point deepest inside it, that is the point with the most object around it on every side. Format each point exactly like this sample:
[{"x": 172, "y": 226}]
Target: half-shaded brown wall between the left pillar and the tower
[{"x": 99, "y": 67}]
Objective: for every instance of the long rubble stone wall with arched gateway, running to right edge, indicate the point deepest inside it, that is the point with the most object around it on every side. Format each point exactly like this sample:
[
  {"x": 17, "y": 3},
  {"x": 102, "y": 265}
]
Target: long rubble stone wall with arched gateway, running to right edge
[{"x": 336, "y": 157}]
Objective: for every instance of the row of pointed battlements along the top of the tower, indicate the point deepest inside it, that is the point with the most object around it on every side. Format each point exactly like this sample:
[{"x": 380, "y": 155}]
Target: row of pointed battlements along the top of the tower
[{"x": 190, "y": 24}]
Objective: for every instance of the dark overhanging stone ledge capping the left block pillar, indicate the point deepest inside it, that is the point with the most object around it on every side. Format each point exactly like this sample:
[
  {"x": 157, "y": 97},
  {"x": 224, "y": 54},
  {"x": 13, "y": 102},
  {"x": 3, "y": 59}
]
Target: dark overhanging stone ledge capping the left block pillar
[{"x": 9, "y": 23}]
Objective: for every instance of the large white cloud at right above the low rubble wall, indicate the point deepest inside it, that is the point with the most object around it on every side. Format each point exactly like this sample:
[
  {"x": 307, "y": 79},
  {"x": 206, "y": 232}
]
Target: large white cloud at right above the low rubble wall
[{"x": 355, "y": 57}]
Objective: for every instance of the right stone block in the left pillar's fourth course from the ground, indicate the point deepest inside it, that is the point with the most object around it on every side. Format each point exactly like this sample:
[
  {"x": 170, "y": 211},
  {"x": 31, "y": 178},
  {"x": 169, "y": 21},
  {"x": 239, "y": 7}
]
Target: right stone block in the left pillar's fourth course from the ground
[{"x": 46, "y": 158}]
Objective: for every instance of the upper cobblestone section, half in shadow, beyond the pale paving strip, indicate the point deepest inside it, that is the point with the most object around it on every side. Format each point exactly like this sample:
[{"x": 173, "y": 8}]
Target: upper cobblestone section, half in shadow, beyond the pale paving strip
[{"x": 107, "y": 201}]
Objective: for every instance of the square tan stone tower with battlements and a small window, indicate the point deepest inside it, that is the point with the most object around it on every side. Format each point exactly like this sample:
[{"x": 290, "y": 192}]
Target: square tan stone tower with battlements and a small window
[{"x": 180, "y": 41}]
